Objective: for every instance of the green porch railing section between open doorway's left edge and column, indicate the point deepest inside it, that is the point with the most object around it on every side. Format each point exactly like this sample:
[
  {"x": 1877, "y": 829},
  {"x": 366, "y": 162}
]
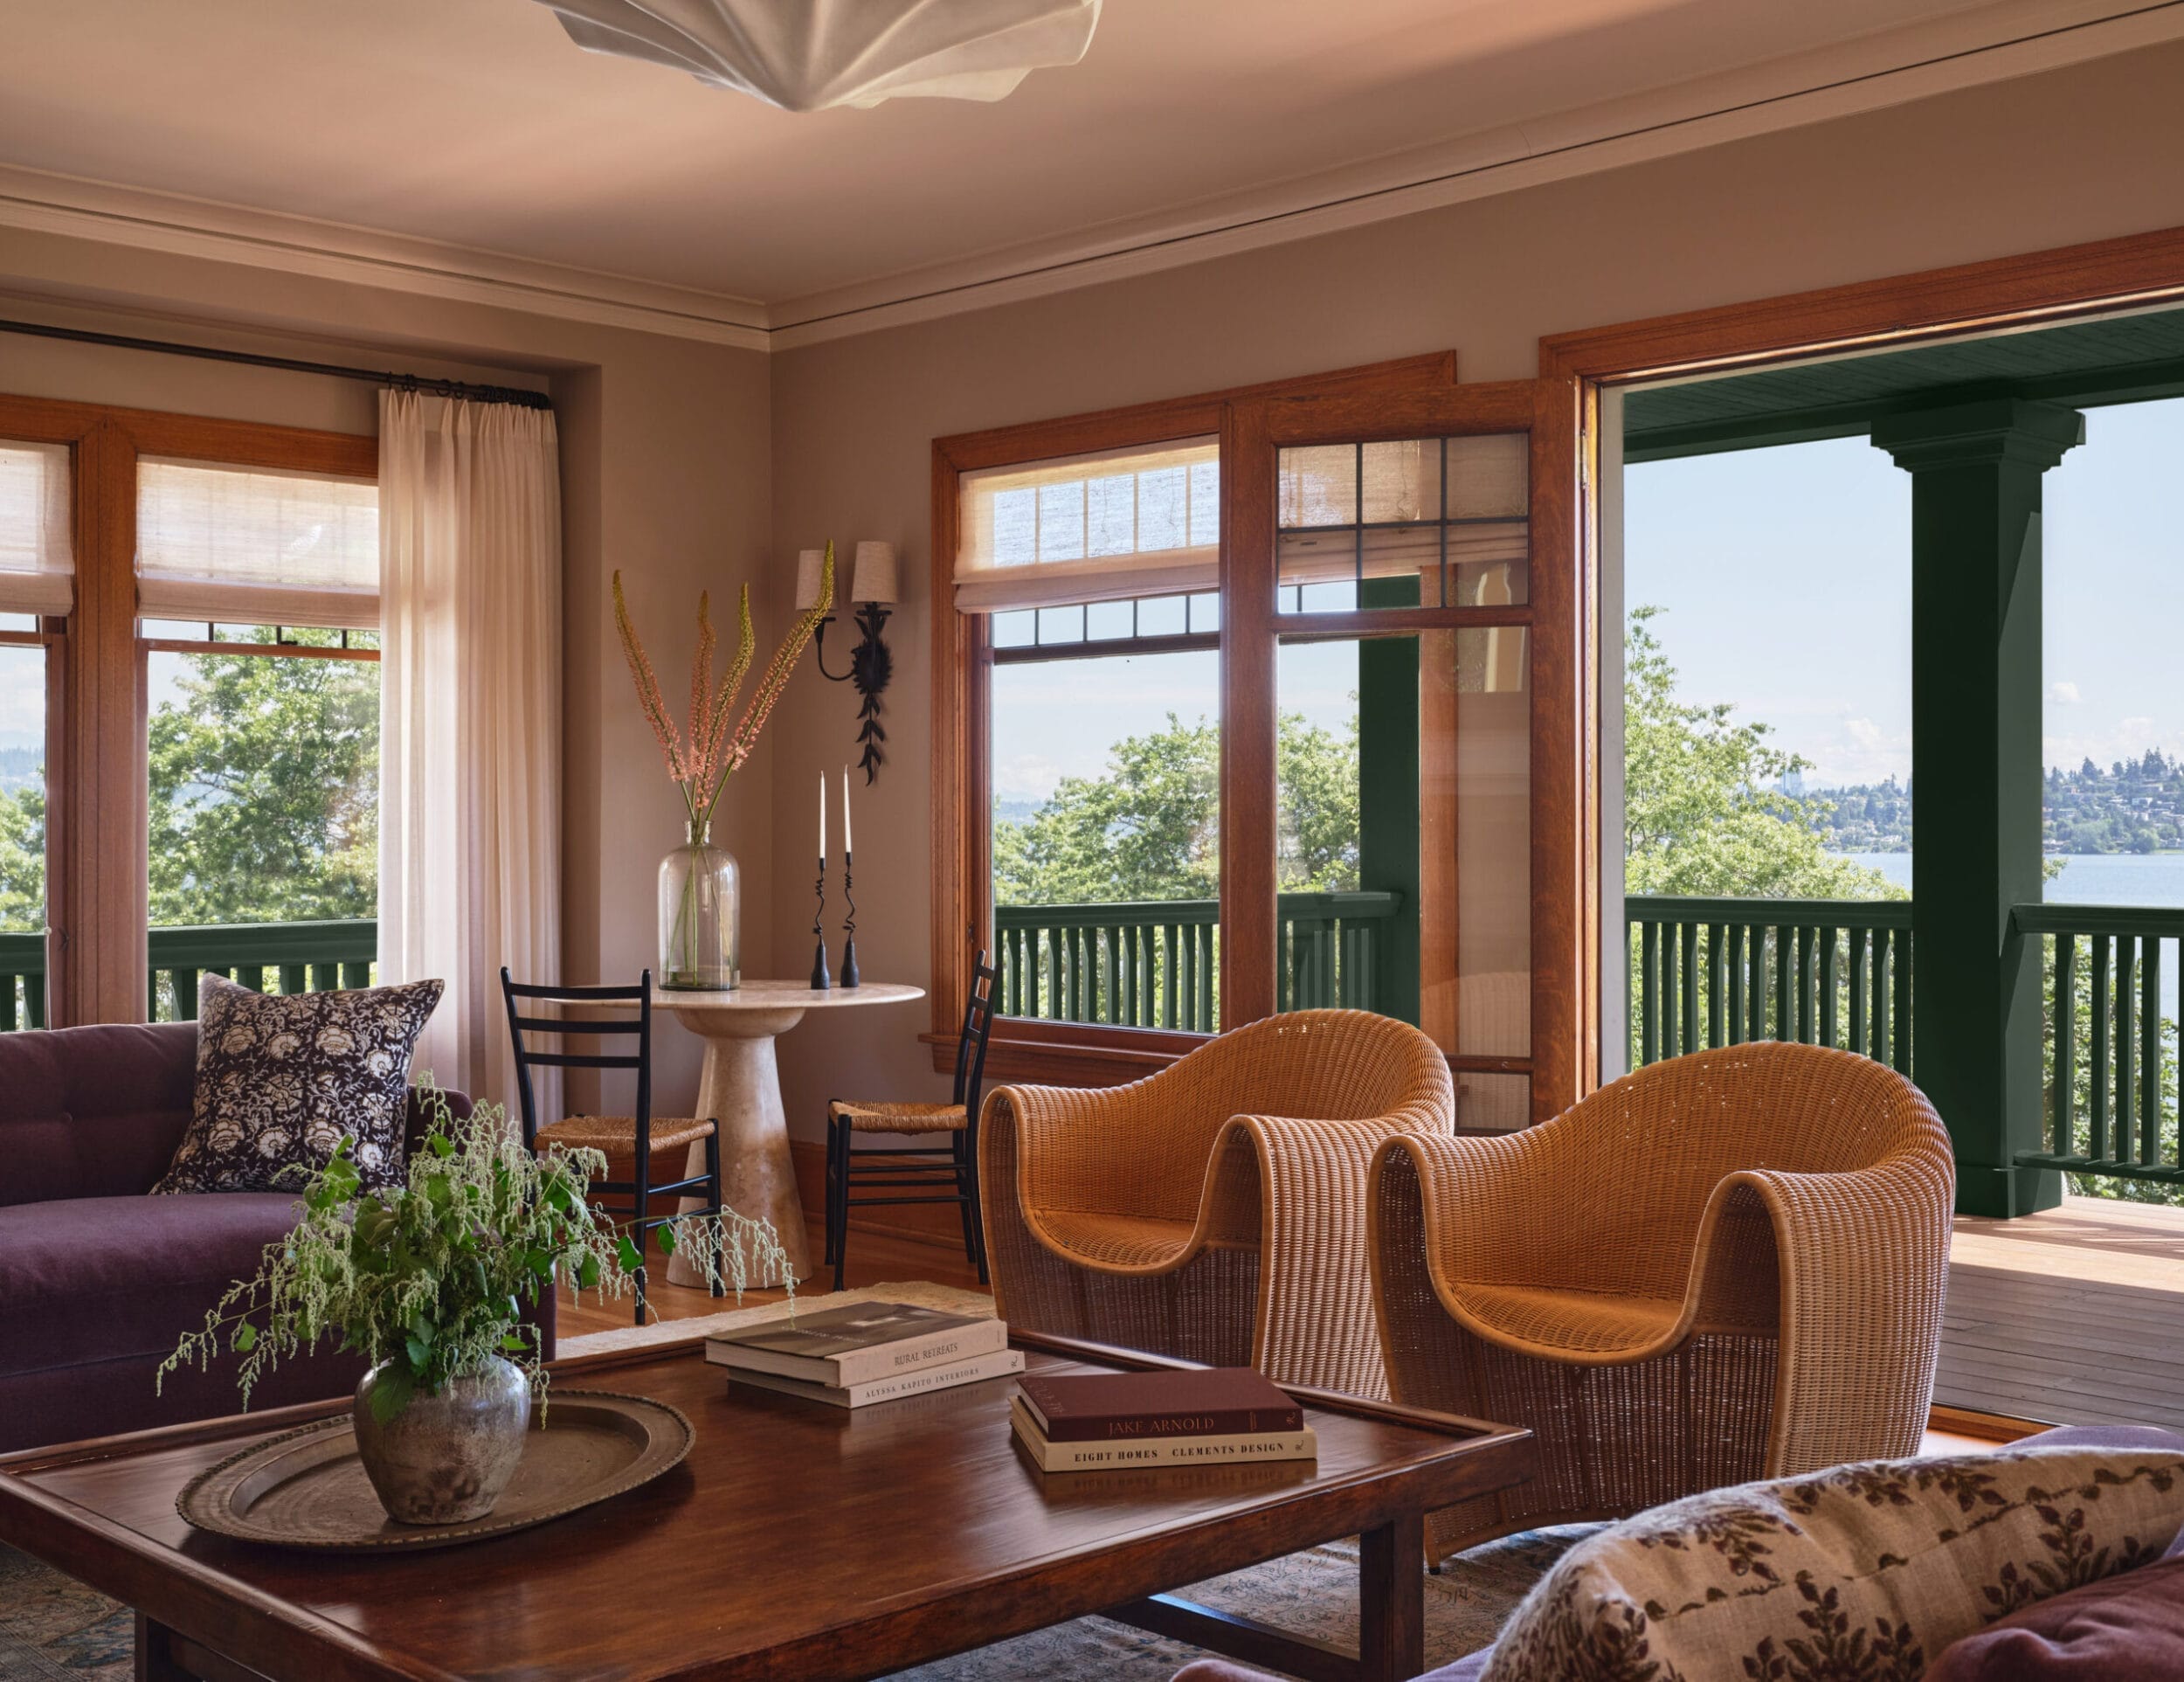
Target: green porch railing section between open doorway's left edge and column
[{"x": 1720, "y": 973}]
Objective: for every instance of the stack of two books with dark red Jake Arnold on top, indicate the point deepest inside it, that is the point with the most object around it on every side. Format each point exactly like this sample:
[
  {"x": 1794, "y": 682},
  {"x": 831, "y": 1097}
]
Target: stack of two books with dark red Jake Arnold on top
[{"x": 1211, "y": 1417}]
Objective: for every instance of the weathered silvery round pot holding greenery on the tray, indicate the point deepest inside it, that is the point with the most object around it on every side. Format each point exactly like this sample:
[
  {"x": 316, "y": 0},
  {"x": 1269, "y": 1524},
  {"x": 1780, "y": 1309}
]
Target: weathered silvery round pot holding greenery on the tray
[{"x": 444, "y": 1460}]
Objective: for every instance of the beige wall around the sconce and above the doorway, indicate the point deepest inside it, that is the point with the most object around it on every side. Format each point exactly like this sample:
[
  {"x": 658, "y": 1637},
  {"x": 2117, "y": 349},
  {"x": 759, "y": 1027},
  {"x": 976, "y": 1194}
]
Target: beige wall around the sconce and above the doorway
[{"x": 2069, "y": 156}]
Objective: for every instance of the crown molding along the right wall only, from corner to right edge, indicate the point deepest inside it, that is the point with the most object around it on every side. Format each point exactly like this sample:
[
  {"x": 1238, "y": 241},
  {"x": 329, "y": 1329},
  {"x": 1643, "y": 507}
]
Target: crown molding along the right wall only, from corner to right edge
[{"x": 1879, "y": 71}]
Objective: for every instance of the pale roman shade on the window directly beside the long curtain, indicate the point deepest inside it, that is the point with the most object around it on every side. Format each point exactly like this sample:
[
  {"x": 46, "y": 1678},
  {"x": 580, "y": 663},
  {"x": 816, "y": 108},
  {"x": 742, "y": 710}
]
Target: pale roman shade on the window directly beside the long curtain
[{"x": 257, "y": 547}]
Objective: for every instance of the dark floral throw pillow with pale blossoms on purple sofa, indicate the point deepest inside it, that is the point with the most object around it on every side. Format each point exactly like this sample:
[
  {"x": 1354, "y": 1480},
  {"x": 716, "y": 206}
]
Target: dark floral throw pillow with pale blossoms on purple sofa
[{"x": 281, "y": 1080}]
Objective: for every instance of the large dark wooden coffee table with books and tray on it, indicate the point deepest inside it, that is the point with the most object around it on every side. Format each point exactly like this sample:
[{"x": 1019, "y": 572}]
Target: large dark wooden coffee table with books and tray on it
[{"x": 796, "y": 1541}]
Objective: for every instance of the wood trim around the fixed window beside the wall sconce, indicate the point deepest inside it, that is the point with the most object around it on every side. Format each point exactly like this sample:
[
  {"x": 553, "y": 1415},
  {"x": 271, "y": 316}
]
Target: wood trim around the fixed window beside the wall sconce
[{"x": 1080, "y": 1054}]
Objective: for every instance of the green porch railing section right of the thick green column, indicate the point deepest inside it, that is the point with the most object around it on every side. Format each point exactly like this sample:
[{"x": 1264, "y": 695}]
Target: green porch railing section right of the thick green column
[{"x": 2111, "y": 1047}]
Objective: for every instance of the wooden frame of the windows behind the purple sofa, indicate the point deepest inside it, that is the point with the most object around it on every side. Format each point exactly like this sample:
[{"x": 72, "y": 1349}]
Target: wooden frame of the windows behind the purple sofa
[{"x": 97, "y": 722}]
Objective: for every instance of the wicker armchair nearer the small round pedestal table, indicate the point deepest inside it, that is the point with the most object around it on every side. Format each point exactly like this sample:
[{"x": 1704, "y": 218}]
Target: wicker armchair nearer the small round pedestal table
[{"x": 1213, "y": 1211}]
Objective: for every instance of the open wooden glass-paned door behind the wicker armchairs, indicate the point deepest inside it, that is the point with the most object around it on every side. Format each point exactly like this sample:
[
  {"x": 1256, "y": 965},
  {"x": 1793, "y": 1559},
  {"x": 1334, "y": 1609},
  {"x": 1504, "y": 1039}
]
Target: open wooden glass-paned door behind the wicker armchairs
[{"x": 1392, "y": 541}]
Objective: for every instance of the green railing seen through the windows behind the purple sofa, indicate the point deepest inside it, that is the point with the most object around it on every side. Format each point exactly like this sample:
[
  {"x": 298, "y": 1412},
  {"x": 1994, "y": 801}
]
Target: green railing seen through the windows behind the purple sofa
[{"x": 283, "y": 958}]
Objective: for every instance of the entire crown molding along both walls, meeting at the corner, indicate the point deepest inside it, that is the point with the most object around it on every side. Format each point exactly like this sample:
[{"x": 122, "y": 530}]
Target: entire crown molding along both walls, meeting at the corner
[{"x": 1999, "y": 43}]
